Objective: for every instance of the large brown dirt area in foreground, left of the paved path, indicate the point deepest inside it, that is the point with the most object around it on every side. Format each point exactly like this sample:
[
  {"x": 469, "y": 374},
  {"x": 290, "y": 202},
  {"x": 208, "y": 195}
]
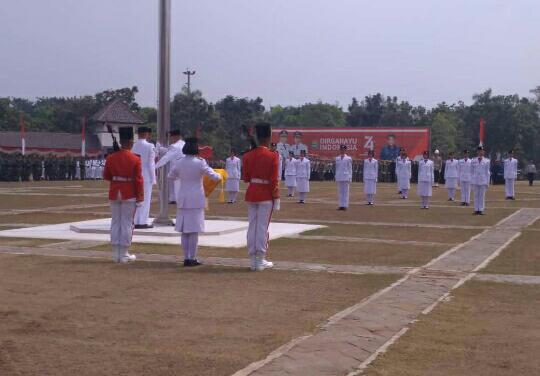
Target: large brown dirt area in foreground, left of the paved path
[{"x": 78, "y": 316}]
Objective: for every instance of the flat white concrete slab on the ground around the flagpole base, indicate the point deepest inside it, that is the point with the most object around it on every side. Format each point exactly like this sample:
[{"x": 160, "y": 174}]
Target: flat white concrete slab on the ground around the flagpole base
[{"x": 163, "y": 235}]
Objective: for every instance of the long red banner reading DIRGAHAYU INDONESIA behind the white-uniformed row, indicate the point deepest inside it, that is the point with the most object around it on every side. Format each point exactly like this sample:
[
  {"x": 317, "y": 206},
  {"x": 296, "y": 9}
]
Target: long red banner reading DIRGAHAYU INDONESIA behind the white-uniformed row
[{"x": 324, "y": 143}]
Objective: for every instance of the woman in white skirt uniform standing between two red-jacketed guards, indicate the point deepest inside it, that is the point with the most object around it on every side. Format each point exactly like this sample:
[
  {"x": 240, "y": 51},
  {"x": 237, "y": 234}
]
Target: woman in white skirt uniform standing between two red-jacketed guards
[{"x": 191, "y": 200}]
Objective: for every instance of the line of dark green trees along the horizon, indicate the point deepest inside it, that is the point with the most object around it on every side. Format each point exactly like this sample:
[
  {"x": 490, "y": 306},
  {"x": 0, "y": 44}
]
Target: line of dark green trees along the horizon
[{"x": 512, "y": 121}]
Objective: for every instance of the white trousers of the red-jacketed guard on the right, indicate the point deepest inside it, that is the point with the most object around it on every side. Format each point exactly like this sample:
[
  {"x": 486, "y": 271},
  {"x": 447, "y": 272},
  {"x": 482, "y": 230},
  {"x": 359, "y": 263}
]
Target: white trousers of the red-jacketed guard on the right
[{"x": 259, "y": 216}]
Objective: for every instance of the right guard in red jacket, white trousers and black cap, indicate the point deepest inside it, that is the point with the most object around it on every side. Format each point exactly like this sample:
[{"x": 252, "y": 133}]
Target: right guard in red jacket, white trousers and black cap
[{"x": 260, "y": 172}]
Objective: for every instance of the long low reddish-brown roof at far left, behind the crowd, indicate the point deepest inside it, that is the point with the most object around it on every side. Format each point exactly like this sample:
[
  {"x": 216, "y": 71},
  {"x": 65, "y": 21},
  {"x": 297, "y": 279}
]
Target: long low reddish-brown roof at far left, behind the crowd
[{"x": 48, "y": 140}]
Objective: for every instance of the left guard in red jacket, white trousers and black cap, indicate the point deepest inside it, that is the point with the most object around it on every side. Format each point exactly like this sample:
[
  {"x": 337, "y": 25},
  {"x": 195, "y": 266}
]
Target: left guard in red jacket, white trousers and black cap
[{"x": 123, "y": 170}]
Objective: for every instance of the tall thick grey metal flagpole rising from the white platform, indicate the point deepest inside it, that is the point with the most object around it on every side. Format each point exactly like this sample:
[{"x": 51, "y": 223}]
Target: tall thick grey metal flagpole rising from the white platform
[{"x": 164, "y": 103}]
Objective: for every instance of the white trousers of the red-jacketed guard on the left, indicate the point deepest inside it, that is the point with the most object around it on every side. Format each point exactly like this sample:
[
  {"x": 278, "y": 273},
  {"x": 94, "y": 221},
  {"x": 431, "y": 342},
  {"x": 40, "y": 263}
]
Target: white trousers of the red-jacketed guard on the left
[{"x": 122, "y": 212}]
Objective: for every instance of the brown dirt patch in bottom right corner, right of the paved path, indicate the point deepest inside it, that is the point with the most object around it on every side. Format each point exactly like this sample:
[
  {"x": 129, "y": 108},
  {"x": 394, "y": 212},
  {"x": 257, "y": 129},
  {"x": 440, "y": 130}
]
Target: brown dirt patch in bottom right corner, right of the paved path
[{"x": 487, "y": 329}]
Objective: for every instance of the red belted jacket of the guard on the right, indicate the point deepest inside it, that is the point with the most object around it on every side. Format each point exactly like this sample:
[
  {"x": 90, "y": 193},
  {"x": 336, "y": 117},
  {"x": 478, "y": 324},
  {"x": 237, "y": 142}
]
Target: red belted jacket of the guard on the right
[{"x": 262, "y": 165}]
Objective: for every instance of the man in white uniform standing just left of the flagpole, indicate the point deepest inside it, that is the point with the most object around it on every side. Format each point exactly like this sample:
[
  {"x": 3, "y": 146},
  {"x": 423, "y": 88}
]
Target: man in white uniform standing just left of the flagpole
[{"x": 146, "y": 151}]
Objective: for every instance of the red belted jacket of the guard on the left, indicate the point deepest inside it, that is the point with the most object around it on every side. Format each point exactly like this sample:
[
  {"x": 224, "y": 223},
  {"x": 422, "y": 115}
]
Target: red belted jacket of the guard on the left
[{"x": 123, "y": 170}]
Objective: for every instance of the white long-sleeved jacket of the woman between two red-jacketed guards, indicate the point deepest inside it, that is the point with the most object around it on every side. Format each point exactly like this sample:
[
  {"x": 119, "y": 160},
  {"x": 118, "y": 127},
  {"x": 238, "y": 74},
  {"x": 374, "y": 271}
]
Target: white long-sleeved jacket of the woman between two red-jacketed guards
[{"x": 190, "y": 171}]
